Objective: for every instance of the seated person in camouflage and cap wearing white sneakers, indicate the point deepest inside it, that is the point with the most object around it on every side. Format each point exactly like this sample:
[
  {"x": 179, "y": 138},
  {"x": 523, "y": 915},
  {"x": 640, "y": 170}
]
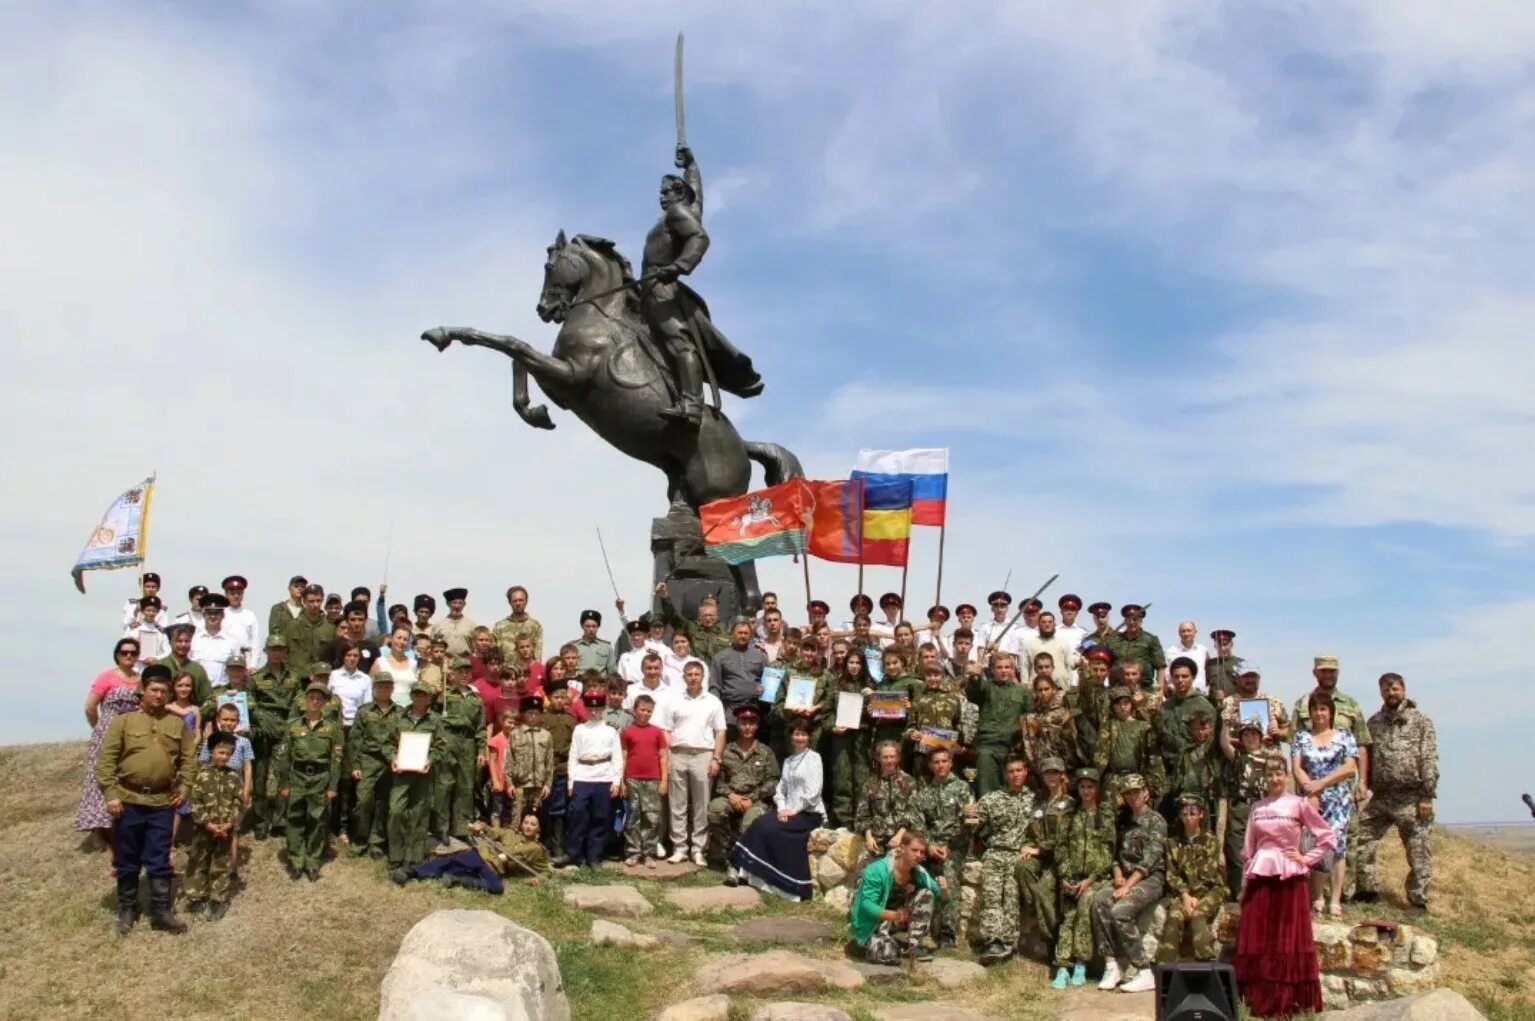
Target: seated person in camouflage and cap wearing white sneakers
[{"x": 1140, "y": 876}]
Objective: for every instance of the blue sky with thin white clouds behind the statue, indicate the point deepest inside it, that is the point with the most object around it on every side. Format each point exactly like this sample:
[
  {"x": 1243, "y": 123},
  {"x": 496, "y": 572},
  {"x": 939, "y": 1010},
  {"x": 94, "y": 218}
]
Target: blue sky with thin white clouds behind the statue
[{"x": 1218, "y": 308}]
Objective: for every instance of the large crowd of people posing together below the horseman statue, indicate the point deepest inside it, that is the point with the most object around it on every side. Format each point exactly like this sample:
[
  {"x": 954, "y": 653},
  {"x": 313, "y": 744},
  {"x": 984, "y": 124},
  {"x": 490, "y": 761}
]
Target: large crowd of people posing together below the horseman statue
[{"x": 1091, "y": 770}]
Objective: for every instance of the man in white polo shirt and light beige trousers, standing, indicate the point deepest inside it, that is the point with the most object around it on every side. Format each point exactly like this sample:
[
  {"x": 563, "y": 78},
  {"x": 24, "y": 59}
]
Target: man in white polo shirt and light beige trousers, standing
[{"x": 695, "y": 724}]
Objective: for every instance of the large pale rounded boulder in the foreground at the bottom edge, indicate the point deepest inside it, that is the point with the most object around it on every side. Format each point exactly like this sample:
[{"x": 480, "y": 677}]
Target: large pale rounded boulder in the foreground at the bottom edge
[{"x": 469, "y": 965}]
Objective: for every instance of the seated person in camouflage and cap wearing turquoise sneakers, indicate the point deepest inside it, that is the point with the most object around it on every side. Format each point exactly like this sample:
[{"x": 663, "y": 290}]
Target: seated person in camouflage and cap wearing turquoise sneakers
[{"x": 1086, "y": 861}]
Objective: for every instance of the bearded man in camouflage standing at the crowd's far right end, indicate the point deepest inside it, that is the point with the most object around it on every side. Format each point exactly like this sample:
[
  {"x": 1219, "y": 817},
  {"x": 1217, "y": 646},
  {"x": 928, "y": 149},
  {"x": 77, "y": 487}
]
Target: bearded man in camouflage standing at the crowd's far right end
[{"x": 1405, "y": 782}]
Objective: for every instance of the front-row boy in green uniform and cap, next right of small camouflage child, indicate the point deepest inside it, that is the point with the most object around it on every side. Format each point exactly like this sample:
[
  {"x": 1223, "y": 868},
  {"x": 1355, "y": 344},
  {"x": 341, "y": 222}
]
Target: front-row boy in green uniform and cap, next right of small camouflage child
[{"x": 309, "y": 776}]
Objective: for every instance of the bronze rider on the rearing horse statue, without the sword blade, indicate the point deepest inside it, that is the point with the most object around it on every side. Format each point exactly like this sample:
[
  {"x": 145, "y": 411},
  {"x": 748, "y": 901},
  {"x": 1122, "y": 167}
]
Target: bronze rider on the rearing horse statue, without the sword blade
[{"x": 678, "y": 317}]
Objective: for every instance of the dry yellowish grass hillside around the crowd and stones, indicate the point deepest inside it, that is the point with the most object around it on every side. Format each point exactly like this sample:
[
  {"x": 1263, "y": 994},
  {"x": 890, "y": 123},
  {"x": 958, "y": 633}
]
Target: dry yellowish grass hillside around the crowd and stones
[{"x": 300, "y": 951}]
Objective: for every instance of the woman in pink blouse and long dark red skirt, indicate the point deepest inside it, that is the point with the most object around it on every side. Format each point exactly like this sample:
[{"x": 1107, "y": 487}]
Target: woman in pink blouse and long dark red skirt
[{"x": 1276, "y": 959}]
